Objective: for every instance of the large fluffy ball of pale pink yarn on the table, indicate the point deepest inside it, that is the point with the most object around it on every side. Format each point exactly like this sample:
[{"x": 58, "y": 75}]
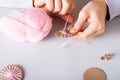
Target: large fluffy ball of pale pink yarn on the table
[{"x": 31, "y": 24}]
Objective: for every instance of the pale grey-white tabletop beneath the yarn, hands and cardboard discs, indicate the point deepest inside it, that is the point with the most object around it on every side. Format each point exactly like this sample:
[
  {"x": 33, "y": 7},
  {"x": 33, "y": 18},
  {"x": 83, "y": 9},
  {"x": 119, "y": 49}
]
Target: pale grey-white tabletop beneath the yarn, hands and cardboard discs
[{"x": 45, "y": 61}]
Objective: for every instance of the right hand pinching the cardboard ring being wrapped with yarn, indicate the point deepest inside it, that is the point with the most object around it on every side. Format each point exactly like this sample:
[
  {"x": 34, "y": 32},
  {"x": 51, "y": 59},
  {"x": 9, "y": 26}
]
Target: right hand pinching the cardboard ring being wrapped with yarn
[{"x": 94, "y": 13}]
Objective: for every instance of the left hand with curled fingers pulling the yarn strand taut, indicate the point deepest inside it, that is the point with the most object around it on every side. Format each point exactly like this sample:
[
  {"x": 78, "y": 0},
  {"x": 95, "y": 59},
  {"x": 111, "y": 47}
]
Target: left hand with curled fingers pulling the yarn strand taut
[{"x": 56, "y": 7}]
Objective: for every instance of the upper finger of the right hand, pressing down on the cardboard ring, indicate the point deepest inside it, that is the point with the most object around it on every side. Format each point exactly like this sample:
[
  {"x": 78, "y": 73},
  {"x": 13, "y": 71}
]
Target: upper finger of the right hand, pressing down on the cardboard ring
[{"x": 79, "y": 23}]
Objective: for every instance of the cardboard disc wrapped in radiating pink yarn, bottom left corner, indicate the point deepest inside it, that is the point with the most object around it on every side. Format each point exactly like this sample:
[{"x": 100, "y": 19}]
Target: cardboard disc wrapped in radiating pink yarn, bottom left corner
[{"x": 11, "y": 72}]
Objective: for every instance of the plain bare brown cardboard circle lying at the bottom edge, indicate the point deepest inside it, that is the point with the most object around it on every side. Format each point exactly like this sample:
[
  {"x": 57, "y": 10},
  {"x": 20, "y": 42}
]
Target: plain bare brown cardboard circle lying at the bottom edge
[{"x": 94, "y": 73}]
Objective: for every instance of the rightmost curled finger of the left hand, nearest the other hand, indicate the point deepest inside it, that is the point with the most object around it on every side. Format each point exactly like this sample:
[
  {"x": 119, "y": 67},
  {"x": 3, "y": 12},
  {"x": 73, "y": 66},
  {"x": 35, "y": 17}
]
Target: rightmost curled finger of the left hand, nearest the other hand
[{"x": 65, "y": 7}]
